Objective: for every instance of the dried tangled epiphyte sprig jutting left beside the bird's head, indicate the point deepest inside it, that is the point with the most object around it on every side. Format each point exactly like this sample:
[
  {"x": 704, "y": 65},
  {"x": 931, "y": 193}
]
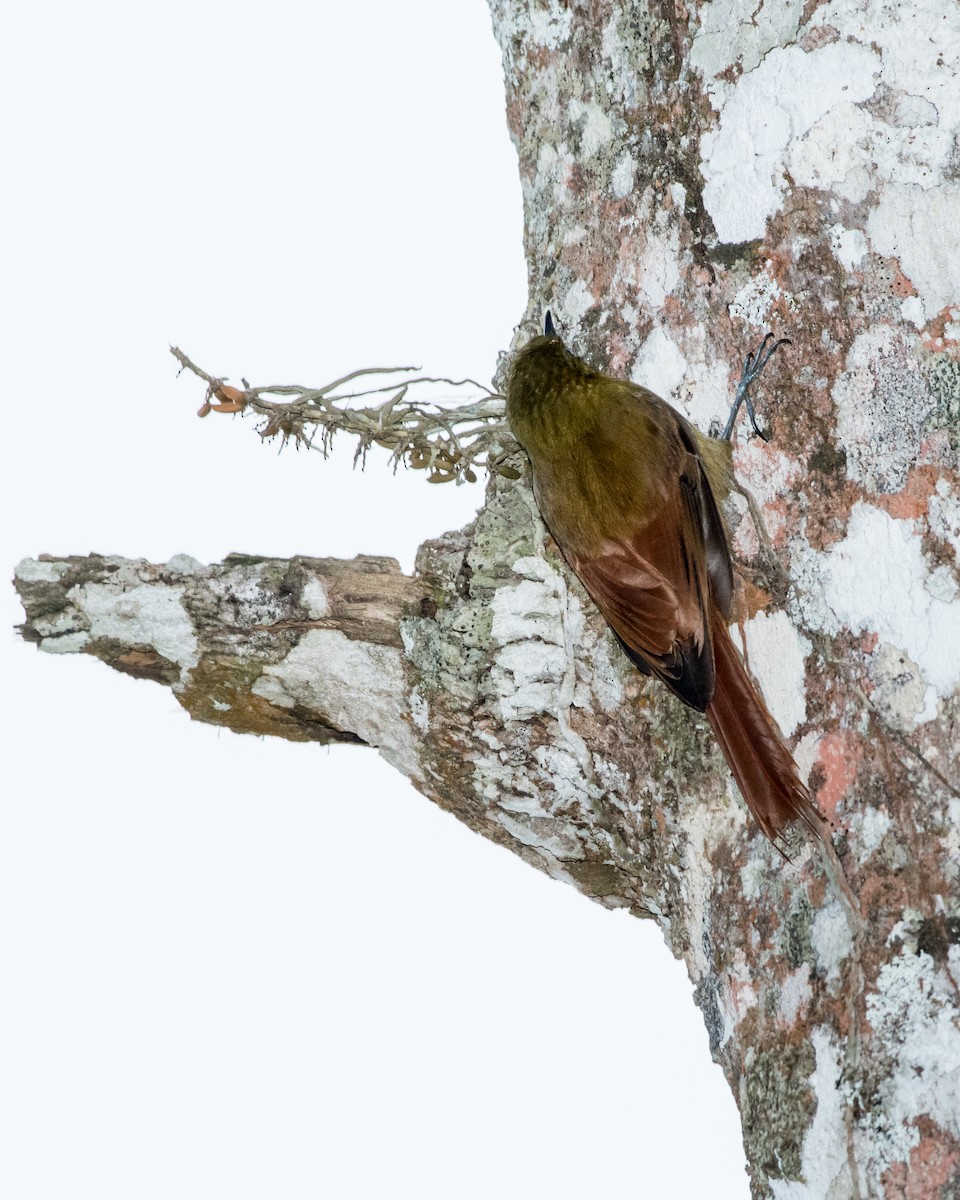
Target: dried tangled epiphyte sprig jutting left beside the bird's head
[{"x": 447, "y": 442}]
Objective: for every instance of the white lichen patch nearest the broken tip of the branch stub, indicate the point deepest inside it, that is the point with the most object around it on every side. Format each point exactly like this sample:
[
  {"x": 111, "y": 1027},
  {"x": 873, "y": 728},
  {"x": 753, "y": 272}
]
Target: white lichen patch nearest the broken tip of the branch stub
[{"x": 147, "y": 615}]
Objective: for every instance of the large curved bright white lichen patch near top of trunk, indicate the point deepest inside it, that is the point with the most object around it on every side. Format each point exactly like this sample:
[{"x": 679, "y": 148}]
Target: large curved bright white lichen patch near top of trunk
[{"x": 745, "y": 160}]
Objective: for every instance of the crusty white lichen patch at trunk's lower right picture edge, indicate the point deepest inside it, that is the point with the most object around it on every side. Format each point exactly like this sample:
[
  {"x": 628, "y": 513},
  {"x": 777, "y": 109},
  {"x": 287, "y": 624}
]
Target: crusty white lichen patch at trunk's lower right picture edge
[{"x": 913, "y": 1015}]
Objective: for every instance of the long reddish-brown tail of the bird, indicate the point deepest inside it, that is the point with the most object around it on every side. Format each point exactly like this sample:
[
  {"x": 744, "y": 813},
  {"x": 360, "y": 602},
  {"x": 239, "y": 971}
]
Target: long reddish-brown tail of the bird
[{"x": 753, "y": 746}]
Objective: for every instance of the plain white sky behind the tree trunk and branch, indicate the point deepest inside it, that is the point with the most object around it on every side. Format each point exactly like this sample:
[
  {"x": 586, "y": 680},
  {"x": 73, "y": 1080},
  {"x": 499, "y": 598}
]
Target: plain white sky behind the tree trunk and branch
[{"x": 248, "y": 969}]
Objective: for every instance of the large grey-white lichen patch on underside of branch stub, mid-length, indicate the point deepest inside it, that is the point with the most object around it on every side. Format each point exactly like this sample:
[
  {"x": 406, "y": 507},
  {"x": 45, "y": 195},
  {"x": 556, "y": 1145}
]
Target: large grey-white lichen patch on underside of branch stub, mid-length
[{"x": 351, "y": 686}]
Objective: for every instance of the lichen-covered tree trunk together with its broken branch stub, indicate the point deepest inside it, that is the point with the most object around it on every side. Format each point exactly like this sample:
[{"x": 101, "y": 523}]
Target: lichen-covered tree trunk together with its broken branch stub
[{"x": 692, "y": 173}]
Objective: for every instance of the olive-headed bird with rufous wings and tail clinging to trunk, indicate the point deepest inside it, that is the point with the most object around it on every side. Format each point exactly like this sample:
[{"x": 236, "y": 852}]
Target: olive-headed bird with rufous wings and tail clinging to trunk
[{"x": 632, "y": 493}]
